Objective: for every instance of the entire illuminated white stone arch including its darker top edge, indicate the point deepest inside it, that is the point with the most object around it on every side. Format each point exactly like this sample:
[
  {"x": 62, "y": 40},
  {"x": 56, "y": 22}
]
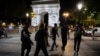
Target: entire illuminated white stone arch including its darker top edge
[{"x": 43, "y": 7}]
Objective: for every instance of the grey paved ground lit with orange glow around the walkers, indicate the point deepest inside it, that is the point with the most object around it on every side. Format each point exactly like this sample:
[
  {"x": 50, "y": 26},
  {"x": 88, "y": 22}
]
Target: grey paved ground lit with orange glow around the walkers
[{"x": 11, "y": 46}]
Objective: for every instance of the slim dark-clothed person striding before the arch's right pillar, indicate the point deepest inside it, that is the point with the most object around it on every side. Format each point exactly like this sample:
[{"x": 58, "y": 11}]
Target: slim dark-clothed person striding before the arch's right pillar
[{"x": 54, "y": 33}]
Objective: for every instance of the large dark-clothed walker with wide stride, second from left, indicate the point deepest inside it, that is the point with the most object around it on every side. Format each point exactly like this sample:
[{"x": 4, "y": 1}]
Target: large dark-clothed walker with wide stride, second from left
[{"x": 40, "y": 41}]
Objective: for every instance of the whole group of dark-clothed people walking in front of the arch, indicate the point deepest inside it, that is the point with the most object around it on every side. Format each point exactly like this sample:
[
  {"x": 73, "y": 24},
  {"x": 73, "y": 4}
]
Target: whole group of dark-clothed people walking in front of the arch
[{"x": 41, "y": 38}]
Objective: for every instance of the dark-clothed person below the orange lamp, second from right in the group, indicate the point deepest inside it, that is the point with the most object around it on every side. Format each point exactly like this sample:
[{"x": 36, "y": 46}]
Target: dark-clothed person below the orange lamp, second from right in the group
[{"x": 64, "y": 34}]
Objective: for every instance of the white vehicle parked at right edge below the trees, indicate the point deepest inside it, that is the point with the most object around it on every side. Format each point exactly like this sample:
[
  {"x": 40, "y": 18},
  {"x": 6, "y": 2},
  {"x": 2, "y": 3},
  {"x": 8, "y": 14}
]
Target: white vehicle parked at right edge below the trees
[{"x": 93, "y": 32}]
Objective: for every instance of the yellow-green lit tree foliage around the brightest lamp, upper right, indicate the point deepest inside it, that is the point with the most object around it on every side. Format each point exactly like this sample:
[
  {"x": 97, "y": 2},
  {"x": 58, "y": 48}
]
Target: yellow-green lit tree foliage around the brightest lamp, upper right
[{"x": 90, "y": 13}]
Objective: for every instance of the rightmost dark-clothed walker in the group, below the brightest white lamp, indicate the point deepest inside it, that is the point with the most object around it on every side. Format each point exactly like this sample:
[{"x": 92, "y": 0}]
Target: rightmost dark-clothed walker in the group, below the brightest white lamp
[{"x": 77, "y": 37}]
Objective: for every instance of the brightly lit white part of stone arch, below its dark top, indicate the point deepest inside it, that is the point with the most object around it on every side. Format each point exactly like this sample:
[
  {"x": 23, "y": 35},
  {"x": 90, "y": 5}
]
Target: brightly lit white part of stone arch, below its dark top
[{"x": 45, "y": 13}]
